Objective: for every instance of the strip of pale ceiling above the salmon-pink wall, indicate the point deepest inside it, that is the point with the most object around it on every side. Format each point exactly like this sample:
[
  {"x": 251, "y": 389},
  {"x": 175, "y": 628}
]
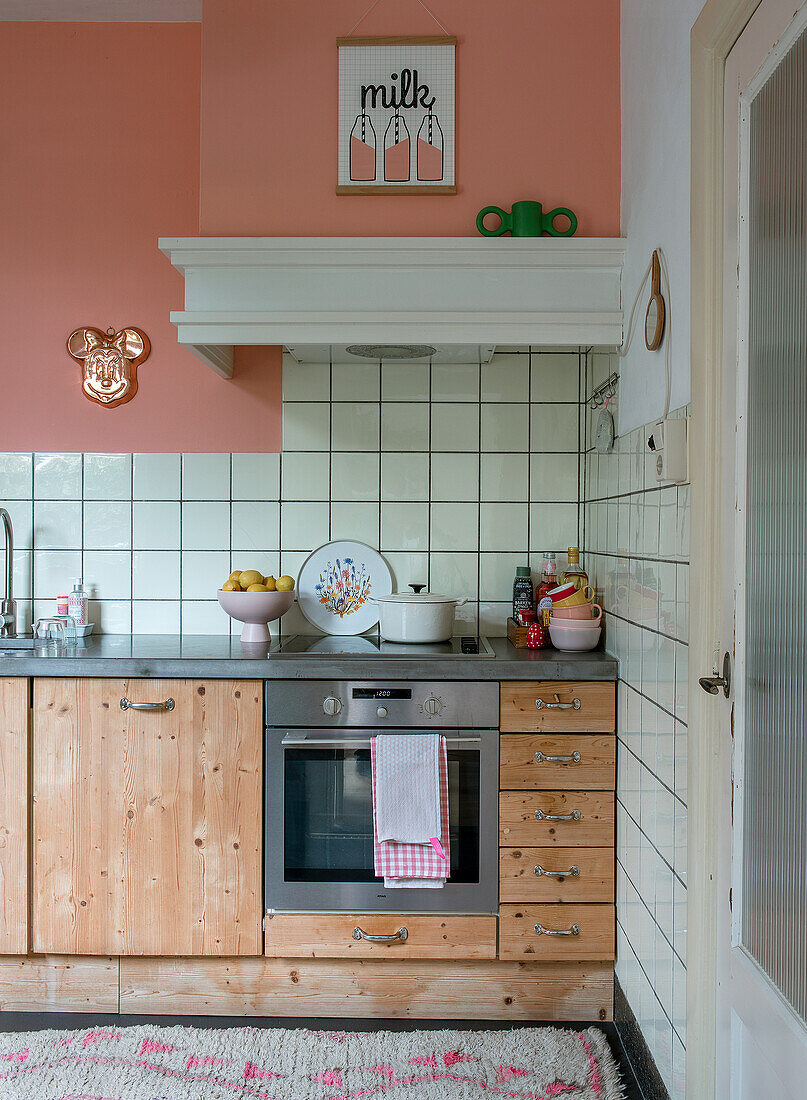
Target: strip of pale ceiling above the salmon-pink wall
[{"x": 104, "y": 12}]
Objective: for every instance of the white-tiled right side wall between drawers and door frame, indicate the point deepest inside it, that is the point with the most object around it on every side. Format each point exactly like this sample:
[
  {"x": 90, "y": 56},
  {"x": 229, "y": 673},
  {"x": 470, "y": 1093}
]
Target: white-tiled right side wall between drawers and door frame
[{"x": 637, "y": 552}]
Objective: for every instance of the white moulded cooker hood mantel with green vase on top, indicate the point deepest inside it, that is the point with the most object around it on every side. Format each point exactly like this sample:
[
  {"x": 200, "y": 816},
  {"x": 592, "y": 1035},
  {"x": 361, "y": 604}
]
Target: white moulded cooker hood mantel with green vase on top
[{"x": 394, "y": 290}]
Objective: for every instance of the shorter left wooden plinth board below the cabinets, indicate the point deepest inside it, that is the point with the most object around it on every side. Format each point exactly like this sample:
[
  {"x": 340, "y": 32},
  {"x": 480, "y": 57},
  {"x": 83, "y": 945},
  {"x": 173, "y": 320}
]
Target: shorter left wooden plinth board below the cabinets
[{"x": 57, "y": 983}]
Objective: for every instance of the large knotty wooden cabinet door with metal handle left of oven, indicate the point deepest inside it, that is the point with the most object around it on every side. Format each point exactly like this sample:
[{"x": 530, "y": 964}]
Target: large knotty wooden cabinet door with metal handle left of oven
[{"x": 148, "y": 824}]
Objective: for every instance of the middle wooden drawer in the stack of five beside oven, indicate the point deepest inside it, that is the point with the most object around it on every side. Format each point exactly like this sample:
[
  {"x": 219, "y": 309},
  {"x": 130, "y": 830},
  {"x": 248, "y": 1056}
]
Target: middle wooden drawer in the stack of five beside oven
[{"x": 589, "y": 819}]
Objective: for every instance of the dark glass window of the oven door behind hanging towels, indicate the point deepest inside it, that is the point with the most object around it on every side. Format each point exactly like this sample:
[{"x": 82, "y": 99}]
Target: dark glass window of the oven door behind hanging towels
[{"x": 329, "y": 816}]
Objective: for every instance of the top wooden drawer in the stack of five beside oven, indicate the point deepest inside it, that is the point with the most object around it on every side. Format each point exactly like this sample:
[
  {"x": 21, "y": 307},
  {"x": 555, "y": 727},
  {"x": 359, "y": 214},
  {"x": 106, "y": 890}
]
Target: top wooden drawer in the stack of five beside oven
[{"x": 558, "y": 707}]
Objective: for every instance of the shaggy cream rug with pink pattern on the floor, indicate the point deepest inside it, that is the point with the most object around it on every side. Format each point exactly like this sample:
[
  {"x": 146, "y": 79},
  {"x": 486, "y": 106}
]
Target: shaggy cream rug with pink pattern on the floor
[{"x": 147, "y": 1063}]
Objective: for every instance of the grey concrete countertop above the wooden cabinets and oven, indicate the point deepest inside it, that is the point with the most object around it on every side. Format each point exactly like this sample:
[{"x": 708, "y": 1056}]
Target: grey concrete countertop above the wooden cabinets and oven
[{"x": 223, "y": 658}]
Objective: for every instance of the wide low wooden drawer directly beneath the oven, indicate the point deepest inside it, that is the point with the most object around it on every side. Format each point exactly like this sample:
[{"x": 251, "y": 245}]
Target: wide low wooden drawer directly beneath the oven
[{"x": 334, "y": 936}]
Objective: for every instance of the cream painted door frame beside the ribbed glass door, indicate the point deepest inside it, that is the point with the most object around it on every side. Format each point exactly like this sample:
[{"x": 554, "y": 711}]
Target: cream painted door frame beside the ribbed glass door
[{"x": 714, "y": 35}]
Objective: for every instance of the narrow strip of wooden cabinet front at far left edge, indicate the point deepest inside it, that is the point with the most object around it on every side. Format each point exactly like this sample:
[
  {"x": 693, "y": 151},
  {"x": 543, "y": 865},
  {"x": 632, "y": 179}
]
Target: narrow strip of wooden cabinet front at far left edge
[{"x": 15, "y": 740}]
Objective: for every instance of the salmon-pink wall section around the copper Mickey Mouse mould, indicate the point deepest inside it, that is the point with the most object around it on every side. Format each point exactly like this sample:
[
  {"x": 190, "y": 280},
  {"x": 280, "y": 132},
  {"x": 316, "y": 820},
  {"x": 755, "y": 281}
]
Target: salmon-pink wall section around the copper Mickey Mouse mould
[{"x": 100, "y": 131}]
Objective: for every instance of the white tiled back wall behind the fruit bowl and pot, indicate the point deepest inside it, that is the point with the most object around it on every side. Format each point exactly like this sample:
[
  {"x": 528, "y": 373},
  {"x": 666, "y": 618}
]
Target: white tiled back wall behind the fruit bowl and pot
[{"x": 458, "y": 474}]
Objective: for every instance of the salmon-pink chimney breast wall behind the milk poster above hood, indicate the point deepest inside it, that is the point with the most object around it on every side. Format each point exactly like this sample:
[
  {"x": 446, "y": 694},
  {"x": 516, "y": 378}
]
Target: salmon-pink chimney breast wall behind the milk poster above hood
[{"x": 538, "y": 115}]
